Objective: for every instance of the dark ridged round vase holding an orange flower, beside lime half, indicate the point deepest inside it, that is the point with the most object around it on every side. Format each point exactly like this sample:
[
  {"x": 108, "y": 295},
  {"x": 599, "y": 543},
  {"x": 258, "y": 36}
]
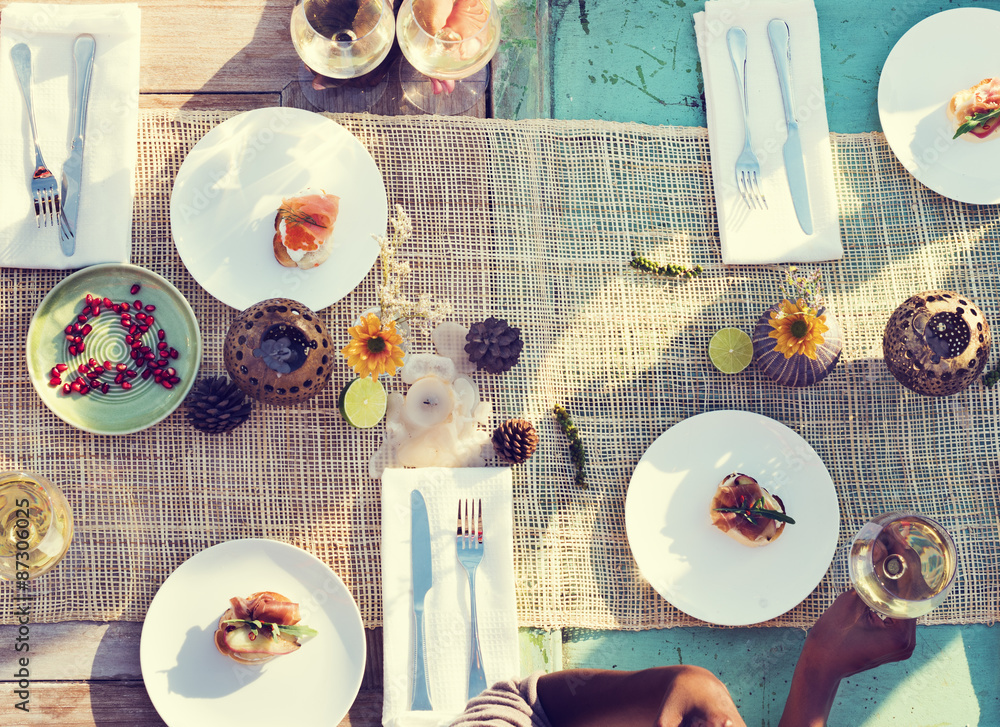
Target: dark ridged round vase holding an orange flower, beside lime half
[{"x": 799, "y": 370}]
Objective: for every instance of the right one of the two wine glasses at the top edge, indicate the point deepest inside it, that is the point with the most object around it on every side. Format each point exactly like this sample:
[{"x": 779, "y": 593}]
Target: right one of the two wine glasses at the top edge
[{"x": 451, "y": 41}]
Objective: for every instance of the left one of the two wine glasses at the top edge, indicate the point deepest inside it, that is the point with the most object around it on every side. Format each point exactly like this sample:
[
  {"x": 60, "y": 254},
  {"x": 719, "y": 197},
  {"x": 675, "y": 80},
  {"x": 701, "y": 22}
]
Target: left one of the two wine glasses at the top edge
[{"x": 342, "y": 40}]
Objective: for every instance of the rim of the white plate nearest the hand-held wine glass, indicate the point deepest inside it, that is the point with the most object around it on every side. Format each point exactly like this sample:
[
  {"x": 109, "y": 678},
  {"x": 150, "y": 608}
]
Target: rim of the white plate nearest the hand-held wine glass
[{"x": 835, "y": 520}]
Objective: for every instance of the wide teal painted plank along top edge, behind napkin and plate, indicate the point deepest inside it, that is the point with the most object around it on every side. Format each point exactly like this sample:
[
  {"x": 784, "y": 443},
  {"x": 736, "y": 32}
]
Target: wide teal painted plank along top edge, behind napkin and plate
[{"x": 636, "y": 60}]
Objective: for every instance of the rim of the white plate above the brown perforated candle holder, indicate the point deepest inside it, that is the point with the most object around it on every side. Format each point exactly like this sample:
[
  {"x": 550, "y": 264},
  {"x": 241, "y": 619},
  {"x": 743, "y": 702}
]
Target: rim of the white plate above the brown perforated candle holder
[{"x": 302, "y": 115}]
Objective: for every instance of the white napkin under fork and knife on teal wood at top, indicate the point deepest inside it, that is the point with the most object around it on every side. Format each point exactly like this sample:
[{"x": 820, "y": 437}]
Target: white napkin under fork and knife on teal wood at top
[{"x": 774, "y": 235}]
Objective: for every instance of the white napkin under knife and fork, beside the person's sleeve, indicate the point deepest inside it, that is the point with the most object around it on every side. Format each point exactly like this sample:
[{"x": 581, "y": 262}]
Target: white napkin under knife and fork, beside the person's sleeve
[{"x": 446, "y": 606}]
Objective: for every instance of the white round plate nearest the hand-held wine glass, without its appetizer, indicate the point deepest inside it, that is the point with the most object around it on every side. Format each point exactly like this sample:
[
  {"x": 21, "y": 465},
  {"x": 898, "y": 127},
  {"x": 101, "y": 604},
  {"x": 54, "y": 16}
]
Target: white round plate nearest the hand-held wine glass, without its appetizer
[{"x": 697, "y": 567}]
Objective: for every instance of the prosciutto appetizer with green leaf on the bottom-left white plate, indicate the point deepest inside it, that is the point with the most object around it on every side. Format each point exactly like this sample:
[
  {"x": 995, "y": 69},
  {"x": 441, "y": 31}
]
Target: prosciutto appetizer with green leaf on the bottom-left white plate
[{"x": 257, "y": 629}]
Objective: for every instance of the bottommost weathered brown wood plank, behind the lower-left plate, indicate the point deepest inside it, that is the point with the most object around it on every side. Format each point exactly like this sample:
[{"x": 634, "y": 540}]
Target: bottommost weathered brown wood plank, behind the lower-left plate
[{"x": 126, "y": 704}]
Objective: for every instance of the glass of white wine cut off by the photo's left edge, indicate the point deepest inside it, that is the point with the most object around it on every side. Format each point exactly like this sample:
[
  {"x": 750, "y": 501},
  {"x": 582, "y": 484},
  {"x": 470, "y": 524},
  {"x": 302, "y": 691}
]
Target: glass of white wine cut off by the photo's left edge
[{"x": 36, "y": 525}]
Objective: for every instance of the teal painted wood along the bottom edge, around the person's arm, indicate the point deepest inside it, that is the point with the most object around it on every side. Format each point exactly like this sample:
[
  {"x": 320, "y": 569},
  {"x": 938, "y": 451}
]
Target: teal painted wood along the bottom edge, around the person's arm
[{"x": 952, "y": 678}]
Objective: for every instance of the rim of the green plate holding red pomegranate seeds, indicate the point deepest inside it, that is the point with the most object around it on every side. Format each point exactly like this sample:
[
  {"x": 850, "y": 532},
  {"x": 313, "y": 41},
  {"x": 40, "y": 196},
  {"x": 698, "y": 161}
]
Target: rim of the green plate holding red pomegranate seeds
[{"x": 182, "y": 391}]
